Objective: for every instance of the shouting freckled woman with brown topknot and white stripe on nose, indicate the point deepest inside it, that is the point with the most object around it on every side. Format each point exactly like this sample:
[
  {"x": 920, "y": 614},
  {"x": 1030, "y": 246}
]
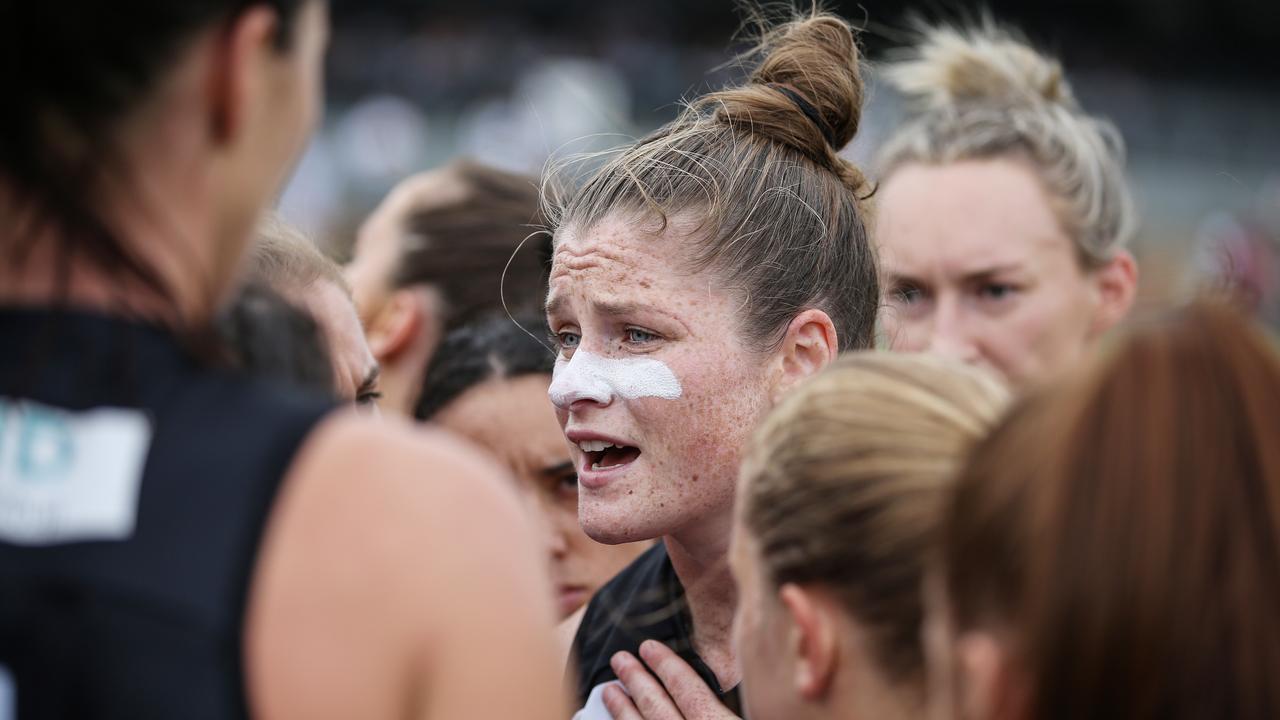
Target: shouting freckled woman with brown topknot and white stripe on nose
[{"x": 696, "y": 279}]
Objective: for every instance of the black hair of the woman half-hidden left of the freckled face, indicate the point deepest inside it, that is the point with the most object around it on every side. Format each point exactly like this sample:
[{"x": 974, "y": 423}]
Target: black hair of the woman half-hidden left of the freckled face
[{"x": 496, "y": 348}]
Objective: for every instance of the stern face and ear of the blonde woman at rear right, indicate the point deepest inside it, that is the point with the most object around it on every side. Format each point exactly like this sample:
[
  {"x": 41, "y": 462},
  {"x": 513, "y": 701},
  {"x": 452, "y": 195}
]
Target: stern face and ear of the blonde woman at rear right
[{"x": 980, "y": 270}]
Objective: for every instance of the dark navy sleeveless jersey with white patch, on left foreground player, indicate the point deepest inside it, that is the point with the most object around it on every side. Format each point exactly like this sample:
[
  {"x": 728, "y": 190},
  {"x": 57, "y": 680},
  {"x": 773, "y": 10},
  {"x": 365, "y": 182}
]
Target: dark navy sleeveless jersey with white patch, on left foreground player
[{"x": 135, "y": 487}]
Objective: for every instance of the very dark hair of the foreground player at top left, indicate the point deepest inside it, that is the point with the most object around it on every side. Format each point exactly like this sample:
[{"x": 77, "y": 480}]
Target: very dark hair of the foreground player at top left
[{"x": 72, "y": 78}]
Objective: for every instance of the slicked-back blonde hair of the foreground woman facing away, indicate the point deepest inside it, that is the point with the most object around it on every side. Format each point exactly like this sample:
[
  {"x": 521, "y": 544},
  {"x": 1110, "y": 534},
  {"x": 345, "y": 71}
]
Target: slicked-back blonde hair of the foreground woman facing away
[{"x": 847, "y": 481}]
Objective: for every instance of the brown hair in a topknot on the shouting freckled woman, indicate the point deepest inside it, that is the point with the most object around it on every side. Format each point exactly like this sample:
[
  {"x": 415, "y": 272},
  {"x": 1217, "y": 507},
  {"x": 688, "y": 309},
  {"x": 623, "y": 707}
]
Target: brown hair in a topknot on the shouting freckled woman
[{"x": 774, "y": 208}]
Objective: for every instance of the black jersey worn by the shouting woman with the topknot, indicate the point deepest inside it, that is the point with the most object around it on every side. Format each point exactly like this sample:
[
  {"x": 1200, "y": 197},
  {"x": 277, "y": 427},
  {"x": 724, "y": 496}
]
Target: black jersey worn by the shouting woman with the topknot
[{"x": 644, "y": 601}]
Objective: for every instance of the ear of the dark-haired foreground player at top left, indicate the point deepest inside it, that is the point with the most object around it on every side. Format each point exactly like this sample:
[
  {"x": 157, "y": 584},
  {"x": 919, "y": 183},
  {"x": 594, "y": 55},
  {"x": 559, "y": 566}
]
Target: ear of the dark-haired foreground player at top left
[{"x": 234, "y": 85}]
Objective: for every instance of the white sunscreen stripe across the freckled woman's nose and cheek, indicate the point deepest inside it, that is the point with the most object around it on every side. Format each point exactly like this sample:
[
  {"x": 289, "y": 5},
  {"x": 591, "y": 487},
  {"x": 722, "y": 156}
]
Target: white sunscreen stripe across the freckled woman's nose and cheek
[{"x": 601, "y": 380}]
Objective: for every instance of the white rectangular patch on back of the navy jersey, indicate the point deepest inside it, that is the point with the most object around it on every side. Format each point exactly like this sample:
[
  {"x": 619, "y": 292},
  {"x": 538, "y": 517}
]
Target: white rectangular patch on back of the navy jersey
[{"x": 68, "y": 477}]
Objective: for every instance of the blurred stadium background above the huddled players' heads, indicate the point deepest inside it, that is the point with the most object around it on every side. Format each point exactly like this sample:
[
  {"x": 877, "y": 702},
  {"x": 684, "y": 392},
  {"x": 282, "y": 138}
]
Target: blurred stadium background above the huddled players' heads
[{"x": 414, "y": 84}]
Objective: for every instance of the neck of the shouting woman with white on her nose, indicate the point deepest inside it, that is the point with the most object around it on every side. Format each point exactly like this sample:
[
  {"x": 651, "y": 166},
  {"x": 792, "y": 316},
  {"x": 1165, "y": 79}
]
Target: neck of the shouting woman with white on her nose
[{"x": 701, "y": 560}]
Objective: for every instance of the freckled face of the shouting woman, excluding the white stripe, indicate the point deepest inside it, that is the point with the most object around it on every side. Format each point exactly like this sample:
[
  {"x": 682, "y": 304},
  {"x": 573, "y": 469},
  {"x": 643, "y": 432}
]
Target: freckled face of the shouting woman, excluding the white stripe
[{"x": 619, "y": 293}]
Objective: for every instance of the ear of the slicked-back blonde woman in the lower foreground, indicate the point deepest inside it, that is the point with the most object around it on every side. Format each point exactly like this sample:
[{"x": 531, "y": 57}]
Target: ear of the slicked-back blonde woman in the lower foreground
[{"x": 815, "y": 640}]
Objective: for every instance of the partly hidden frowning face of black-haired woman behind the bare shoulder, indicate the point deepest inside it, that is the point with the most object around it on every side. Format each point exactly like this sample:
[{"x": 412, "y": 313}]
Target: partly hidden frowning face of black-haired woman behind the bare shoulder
[{"x": 513, "y": 420}]
